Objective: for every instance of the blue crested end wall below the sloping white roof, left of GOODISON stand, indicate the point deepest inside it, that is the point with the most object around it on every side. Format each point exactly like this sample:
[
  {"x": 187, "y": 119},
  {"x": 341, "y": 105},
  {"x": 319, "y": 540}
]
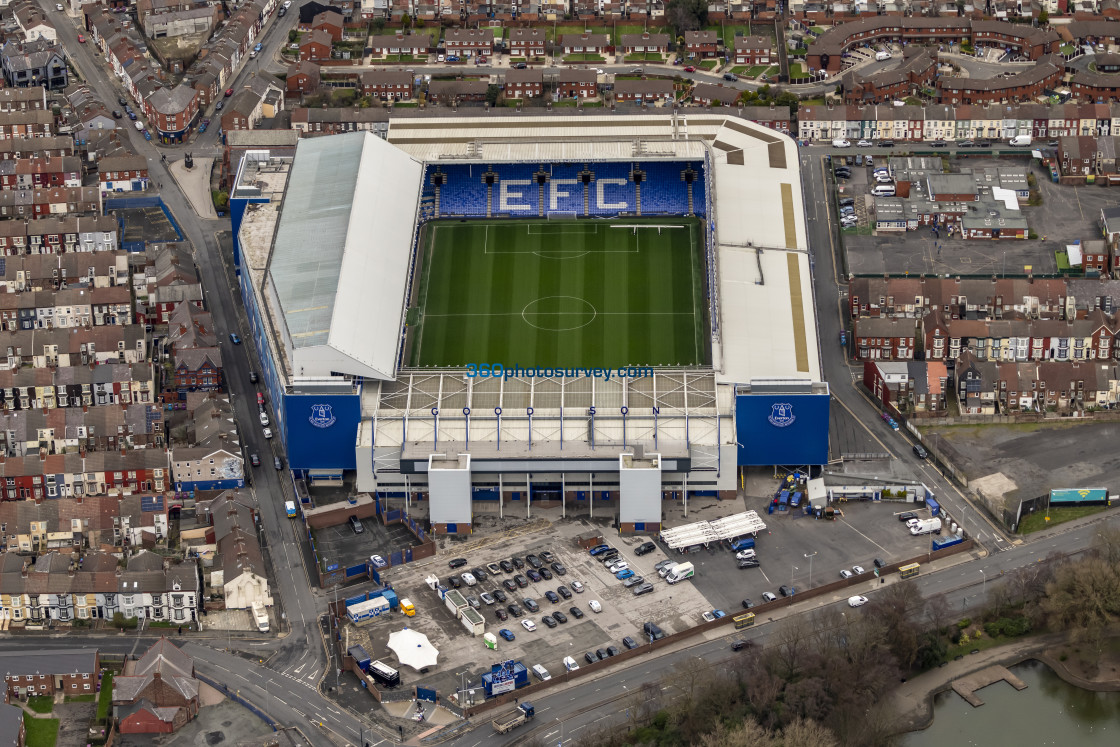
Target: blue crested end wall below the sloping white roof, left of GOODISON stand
[{"x": 321, "y": 431}]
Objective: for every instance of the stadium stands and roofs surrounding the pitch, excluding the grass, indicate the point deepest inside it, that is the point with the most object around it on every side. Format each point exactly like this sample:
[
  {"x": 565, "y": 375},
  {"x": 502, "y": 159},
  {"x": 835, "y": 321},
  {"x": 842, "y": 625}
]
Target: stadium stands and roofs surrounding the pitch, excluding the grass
[{"x": 326, "y": 253}]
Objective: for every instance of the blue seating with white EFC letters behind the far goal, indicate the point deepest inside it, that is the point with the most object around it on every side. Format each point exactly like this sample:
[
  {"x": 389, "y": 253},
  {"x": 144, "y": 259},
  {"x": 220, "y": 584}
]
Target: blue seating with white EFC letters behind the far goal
[{"x": 612, "y": 192}]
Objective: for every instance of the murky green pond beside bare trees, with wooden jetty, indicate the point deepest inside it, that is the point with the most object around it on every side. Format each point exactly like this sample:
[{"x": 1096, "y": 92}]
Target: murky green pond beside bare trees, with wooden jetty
[{"x": 1050, "y": 712}]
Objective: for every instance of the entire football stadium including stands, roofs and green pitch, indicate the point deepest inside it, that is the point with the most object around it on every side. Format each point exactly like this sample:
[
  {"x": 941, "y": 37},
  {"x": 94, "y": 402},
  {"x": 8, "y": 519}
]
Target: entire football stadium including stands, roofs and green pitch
[{"x": 599, "y": 312}]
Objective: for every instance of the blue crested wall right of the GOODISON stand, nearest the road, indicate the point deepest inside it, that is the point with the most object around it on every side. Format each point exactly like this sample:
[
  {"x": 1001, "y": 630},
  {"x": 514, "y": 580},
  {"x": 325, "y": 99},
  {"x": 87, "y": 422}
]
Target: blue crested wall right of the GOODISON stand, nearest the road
[{"x": 782, "y": 429}]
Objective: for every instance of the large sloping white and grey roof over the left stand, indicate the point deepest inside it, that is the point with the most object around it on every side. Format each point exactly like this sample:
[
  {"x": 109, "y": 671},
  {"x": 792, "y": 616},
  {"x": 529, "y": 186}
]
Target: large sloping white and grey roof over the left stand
[{"x": 342, "y": 255}]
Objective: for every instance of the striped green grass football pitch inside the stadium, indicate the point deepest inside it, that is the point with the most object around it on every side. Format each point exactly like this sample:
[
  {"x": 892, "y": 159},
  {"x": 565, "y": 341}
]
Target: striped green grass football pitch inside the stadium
[{"x": 564, "y": 294}]
